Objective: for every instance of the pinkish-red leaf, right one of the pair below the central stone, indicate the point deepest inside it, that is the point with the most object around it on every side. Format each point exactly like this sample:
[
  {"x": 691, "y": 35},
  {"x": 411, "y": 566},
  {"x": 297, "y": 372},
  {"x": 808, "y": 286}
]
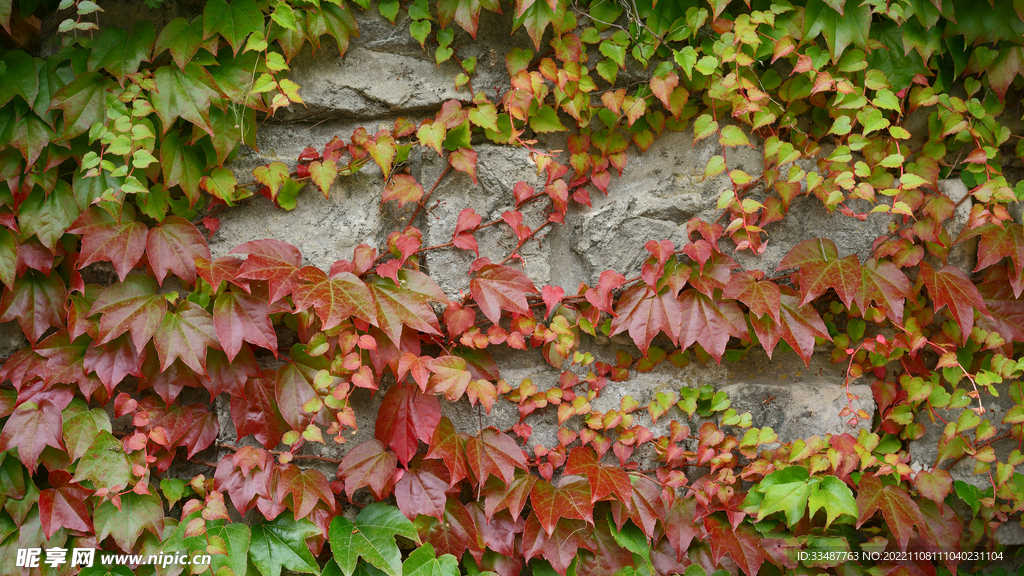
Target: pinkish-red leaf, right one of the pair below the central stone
[{"x": 709, "y": 324}]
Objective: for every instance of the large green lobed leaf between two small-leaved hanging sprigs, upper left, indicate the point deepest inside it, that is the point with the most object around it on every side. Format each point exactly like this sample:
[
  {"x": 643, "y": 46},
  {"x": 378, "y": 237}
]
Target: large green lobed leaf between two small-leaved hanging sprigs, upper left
[{"x": 185, "y": 94}]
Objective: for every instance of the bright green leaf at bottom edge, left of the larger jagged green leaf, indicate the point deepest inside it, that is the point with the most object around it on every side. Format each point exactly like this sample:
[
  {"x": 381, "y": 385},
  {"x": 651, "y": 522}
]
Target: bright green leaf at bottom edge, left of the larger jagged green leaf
[{"x": 282, "y": 544}]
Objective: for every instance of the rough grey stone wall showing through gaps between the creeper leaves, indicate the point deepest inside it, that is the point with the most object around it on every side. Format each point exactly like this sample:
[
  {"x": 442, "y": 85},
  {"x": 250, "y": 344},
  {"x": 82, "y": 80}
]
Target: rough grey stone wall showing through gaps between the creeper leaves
[{"x": 387, "y": 75}]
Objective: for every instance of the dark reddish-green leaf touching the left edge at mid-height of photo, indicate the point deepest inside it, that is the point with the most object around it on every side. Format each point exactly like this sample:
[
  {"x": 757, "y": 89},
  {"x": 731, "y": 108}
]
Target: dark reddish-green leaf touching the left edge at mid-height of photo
[{"x": 37, "y": 303}]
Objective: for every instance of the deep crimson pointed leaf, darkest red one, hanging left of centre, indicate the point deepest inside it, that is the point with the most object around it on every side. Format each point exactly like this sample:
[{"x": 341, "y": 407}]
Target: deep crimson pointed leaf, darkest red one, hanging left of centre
[{"x": 407, "y": 417}]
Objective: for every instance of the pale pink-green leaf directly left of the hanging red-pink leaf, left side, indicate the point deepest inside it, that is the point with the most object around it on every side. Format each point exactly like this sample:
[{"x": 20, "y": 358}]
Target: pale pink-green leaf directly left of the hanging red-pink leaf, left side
[{"x": 186, "y": 334}]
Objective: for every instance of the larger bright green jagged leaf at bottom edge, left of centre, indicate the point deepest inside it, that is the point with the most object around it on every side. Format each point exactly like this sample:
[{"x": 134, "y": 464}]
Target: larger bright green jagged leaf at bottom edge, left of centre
[{"x": 372, "y": 539}]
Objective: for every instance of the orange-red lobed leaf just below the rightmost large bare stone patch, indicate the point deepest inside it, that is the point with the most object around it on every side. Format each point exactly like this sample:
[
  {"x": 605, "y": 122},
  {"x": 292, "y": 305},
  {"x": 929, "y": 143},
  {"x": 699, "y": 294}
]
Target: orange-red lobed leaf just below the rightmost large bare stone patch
[{"x": 821, "y": 269}]
